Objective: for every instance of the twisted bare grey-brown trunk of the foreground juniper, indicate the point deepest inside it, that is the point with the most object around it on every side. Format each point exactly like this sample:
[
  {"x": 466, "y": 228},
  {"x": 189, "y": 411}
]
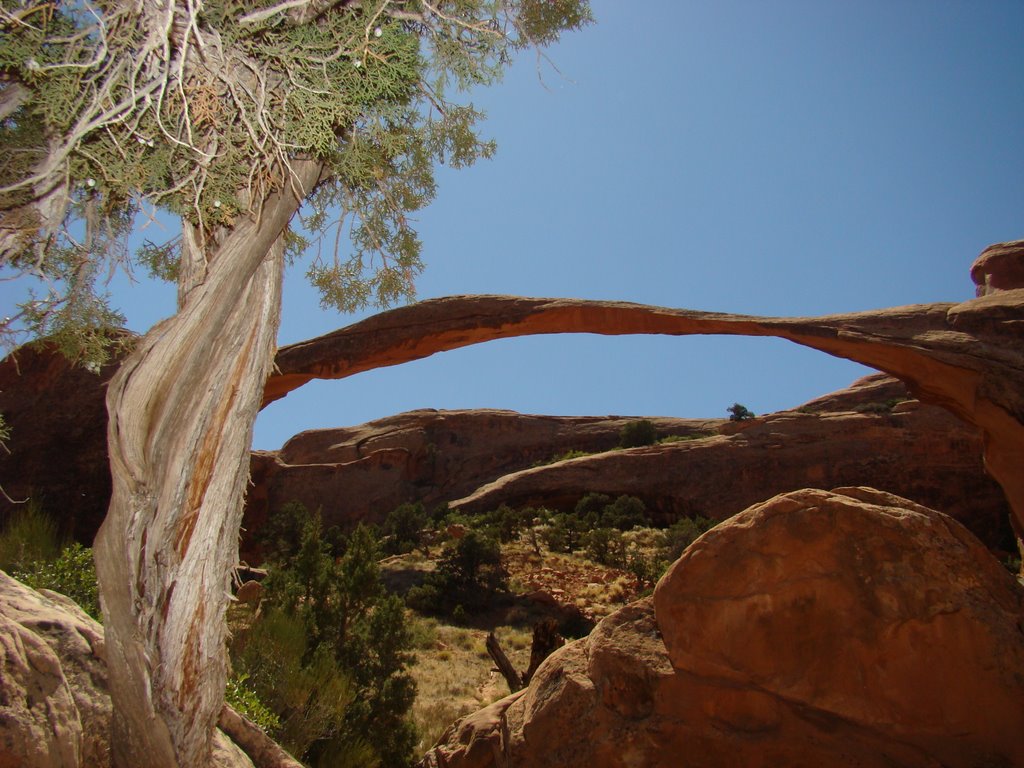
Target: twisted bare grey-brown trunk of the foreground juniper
[{"x": 182, "y": 412}]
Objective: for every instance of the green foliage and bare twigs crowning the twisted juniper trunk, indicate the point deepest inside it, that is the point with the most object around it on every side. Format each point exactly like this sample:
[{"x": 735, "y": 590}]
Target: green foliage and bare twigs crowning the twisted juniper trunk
[{"x": 98, "y": 112}]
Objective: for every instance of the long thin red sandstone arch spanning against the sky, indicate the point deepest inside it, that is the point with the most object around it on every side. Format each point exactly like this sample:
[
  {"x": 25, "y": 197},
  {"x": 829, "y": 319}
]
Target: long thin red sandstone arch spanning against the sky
[{"x": 968, "y": 358}]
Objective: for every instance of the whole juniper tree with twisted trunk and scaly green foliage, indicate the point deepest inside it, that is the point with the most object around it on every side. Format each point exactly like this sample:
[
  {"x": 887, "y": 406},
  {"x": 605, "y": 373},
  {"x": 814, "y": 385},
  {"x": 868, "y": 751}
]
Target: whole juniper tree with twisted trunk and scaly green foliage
[{"x": 232, "y": 115}]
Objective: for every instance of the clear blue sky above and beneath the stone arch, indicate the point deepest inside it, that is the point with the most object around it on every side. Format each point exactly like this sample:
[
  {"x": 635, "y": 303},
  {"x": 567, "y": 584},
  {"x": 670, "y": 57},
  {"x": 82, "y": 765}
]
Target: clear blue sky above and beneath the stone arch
[{"x": 792, "y": 158}]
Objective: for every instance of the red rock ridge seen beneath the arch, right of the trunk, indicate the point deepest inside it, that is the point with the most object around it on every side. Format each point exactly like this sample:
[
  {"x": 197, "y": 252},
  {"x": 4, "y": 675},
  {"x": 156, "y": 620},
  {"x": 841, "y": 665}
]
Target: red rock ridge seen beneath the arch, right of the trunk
[{"x": 871, "y": 434}]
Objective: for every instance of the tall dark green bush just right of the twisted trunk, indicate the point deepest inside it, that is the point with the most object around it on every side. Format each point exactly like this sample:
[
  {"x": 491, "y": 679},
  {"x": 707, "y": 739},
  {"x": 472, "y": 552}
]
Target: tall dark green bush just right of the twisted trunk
[{"x": 352, "y": 632}]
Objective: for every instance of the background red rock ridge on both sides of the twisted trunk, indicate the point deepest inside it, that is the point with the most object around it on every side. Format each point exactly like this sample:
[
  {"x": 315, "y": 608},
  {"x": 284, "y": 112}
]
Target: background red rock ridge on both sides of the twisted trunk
[{"x": 872, "y": 434}]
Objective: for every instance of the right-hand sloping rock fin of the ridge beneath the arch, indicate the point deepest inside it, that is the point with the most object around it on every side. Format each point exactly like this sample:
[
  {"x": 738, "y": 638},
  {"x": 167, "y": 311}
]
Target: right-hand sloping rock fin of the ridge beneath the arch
[{"x": 919, "y": 452}]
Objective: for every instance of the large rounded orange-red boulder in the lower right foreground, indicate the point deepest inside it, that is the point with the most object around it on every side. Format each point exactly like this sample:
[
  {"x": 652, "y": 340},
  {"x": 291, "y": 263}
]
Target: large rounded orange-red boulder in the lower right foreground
[{"x": 850, "y": 628}]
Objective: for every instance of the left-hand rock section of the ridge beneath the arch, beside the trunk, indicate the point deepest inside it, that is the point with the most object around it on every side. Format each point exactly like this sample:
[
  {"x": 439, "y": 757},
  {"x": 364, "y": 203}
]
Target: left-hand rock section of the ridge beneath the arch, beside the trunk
[{"x": 364, "y": 473}]
